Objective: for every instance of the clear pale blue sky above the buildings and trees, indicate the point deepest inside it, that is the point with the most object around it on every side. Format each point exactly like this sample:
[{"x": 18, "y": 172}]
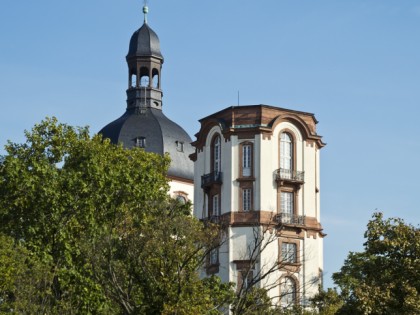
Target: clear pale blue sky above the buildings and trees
[{"x": 355, "y": 64}]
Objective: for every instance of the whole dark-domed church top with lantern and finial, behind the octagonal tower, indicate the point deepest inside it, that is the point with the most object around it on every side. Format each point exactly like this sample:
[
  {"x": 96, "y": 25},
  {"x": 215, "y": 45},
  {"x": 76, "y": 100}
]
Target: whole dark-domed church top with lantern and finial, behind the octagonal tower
[{"x": 144, "y": 124}]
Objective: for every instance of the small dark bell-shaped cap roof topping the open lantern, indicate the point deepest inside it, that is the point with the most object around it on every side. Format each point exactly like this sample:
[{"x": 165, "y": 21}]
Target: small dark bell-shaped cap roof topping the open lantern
[{"x": 144, "y": 42}]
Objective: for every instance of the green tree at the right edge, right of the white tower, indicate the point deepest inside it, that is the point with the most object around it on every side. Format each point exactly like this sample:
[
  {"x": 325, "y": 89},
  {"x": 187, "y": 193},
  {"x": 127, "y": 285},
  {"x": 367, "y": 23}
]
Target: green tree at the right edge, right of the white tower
[{"x": 385, "y": 277}]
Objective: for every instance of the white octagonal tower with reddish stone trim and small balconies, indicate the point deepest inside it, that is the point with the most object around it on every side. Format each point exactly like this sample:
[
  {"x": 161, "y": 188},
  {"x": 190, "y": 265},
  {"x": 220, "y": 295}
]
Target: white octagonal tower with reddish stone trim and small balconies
[{"x": 268, "y": 194}]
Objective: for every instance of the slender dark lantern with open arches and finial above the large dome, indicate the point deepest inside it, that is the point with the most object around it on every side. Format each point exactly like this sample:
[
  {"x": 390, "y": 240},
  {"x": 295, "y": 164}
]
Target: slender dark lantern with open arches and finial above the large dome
[{"x": 144, "y": 61}]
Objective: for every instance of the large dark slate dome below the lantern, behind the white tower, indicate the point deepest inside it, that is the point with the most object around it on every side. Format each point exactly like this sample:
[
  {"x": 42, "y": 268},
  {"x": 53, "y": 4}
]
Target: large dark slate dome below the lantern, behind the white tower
[{"x": 158, "y": 134}]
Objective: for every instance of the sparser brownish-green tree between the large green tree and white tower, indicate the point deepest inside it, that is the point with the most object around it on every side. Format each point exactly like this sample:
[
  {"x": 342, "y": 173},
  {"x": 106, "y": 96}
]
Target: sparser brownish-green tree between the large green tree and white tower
[{"x": 155, "y": 271}]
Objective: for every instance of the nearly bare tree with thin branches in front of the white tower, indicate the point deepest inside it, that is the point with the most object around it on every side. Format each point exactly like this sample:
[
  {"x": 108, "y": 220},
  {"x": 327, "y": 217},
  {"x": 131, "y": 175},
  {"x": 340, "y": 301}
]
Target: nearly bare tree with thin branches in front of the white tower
[{"x": 259, "y": 277}]
